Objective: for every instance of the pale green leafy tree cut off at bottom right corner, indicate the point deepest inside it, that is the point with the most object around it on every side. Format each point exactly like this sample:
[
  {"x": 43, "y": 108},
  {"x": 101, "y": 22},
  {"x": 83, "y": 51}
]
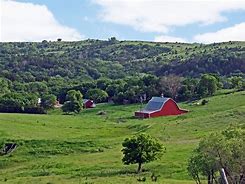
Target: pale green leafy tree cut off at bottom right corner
[{"x": 220, "y": 150}]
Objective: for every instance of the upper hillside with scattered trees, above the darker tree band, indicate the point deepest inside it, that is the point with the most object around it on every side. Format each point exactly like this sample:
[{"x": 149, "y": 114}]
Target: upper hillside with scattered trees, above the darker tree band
[{"x": 92, "y": 59}]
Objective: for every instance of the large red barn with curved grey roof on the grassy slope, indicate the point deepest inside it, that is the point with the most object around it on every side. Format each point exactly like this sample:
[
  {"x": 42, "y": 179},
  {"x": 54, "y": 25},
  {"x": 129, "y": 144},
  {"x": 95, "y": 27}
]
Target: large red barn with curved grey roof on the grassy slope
[{"x": 160, "y": 106}]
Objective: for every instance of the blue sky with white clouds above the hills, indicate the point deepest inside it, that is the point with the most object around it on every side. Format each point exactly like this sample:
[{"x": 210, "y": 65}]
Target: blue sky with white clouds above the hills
[{"x": 202, "y": 21}]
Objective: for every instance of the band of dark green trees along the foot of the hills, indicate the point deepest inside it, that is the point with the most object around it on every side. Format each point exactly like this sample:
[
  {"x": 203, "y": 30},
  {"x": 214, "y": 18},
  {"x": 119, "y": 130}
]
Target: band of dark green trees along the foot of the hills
[{"x": 18, "y": 97}]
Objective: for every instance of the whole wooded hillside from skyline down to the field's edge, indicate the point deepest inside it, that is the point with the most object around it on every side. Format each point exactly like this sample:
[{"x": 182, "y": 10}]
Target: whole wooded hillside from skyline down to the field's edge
[{"x": 121, "y": 71}]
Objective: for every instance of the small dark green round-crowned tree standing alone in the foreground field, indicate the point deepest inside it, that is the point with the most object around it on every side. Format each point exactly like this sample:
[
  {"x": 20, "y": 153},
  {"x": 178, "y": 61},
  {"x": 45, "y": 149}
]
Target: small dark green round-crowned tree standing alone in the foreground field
[{"x": 141, "y": 149}]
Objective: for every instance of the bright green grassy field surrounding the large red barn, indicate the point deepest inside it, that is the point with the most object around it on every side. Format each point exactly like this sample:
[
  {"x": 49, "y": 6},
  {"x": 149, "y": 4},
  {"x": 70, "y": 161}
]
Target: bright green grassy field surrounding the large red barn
[{"x": 86, "y": 148}]
